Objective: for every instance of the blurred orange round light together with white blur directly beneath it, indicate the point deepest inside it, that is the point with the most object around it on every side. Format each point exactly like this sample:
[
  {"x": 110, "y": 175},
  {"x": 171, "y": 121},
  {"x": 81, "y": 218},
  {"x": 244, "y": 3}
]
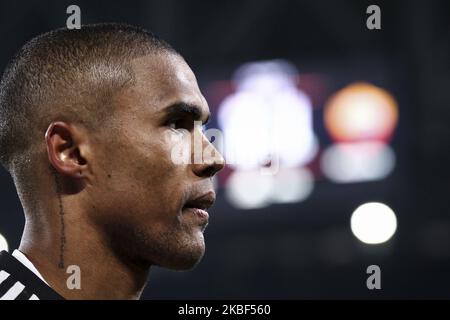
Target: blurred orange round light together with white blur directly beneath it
[{"x": 361, "y": 118}]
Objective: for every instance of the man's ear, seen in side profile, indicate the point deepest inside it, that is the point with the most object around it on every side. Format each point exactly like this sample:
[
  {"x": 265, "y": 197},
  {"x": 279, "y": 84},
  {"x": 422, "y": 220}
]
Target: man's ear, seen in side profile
[{"x": 66, "y": 149}]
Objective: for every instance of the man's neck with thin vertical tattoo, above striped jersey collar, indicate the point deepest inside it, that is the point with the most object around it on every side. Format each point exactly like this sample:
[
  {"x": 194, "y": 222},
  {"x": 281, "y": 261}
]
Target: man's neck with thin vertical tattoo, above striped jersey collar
[{"x": 104, "y": 274}]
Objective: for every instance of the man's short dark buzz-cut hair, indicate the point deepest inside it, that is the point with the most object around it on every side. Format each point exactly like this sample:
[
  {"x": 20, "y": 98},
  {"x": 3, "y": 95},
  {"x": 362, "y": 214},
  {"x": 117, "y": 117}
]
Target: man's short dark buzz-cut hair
[{"x": 66, "y": 75}]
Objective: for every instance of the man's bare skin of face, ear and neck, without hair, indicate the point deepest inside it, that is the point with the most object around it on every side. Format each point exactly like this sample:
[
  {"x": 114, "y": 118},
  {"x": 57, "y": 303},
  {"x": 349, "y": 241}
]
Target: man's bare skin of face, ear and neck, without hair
[{"x": 114, "y": 204}]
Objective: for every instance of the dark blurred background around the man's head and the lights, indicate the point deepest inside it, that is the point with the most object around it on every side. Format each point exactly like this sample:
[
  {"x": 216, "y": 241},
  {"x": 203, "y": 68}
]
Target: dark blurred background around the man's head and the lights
[{"x": 297, "y": 250}]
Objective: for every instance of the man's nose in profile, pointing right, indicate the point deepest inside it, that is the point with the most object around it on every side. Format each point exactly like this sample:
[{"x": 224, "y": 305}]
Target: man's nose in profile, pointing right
[{"x": 211, "y": 162}]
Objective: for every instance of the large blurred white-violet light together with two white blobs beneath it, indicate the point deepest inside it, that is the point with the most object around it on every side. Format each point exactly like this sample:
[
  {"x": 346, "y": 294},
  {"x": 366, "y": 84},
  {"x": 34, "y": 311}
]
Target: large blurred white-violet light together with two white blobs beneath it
[{"x": 267, "y": 121}]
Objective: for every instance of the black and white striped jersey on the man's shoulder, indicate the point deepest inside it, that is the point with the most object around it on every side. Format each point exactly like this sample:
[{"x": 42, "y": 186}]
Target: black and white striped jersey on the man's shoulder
[{"x": 17, "y": 282}]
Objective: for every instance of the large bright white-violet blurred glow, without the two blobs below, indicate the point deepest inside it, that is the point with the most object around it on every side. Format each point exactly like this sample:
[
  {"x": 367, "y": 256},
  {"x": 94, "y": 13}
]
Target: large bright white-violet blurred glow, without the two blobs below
[{"x": 267, "y": 117}]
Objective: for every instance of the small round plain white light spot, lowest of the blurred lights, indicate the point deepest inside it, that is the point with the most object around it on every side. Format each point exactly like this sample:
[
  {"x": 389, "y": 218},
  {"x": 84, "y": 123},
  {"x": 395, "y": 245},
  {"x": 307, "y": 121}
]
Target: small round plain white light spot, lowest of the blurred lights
[{"x": 373, "y": 223}]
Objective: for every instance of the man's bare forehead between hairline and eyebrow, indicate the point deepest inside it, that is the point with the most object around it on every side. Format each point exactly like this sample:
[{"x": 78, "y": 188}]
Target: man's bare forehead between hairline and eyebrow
[{"x": 162, "y": 79}]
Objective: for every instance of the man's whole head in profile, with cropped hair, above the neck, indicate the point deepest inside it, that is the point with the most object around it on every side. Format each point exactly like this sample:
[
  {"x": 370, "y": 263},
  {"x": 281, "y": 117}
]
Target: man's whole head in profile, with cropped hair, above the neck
[{"x": 98, "y": 111}]
